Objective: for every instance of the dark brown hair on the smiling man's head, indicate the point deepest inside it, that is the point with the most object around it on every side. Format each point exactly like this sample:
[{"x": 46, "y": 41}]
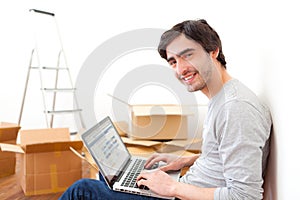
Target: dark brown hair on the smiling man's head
[{"x": 197, "y": 30}]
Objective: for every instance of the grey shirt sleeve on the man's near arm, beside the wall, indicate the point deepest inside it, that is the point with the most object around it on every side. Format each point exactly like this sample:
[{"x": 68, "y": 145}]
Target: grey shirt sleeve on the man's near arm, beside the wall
[{"x": 242, "y": 135}]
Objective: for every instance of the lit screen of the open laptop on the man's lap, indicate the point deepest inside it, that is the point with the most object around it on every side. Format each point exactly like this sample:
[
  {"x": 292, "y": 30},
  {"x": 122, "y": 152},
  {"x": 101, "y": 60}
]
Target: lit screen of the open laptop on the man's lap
[{"x": 107, "y": 148}]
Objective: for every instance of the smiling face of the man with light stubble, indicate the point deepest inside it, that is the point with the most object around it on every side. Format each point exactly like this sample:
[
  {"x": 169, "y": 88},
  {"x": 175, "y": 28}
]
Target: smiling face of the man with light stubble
[{"x": 191, "y": 63}]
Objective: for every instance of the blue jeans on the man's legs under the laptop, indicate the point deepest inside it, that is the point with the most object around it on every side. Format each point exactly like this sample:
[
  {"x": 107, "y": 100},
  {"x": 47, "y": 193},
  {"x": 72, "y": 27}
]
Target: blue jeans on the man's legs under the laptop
[{"x": 85, "y": 189}]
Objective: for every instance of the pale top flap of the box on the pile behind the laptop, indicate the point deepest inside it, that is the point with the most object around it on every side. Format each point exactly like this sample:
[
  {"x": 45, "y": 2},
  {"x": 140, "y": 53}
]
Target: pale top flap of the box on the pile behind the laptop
[{"x": 147, "y": 110}]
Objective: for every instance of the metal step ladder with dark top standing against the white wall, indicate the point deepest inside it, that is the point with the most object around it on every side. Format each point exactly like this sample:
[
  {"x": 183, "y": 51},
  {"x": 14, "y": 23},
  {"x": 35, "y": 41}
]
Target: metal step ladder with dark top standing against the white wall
[{"x": 58, "y": 70}]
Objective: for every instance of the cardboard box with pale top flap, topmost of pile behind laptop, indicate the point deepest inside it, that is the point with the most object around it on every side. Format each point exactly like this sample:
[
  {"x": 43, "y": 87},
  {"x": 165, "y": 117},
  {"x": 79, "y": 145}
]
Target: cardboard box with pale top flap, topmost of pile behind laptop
[{"x": 159, "y": 122}]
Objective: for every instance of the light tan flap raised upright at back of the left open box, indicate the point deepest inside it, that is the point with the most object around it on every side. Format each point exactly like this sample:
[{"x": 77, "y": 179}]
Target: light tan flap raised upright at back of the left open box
[{"x": 50, "y": 135}]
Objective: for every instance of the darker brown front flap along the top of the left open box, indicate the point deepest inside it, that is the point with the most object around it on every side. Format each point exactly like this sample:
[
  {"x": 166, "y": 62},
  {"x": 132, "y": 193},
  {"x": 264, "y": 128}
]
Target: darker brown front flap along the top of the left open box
[{"x": 54, "y": 146}]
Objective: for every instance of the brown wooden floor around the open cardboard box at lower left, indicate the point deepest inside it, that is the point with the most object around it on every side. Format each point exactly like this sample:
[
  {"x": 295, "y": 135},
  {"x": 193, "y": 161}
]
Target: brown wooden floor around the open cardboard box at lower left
[{"x": 10, "y": 188}]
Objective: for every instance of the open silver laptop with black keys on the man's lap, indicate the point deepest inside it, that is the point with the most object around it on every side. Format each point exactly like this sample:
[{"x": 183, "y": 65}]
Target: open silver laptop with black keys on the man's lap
[{"x": 117, "y": 166}]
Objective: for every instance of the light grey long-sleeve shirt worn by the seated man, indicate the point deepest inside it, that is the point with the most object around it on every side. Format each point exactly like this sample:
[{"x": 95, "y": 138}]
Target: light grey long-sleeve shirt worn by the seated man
[{"x": 235, "y": 145}]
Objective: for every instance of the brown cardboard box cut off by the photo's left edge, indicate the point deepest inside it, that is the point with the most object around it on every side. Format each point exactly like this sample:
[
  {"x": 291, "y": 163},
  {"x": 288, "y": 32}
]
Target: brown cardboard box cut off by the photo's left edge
[{"x": 8, "y": 134}]
